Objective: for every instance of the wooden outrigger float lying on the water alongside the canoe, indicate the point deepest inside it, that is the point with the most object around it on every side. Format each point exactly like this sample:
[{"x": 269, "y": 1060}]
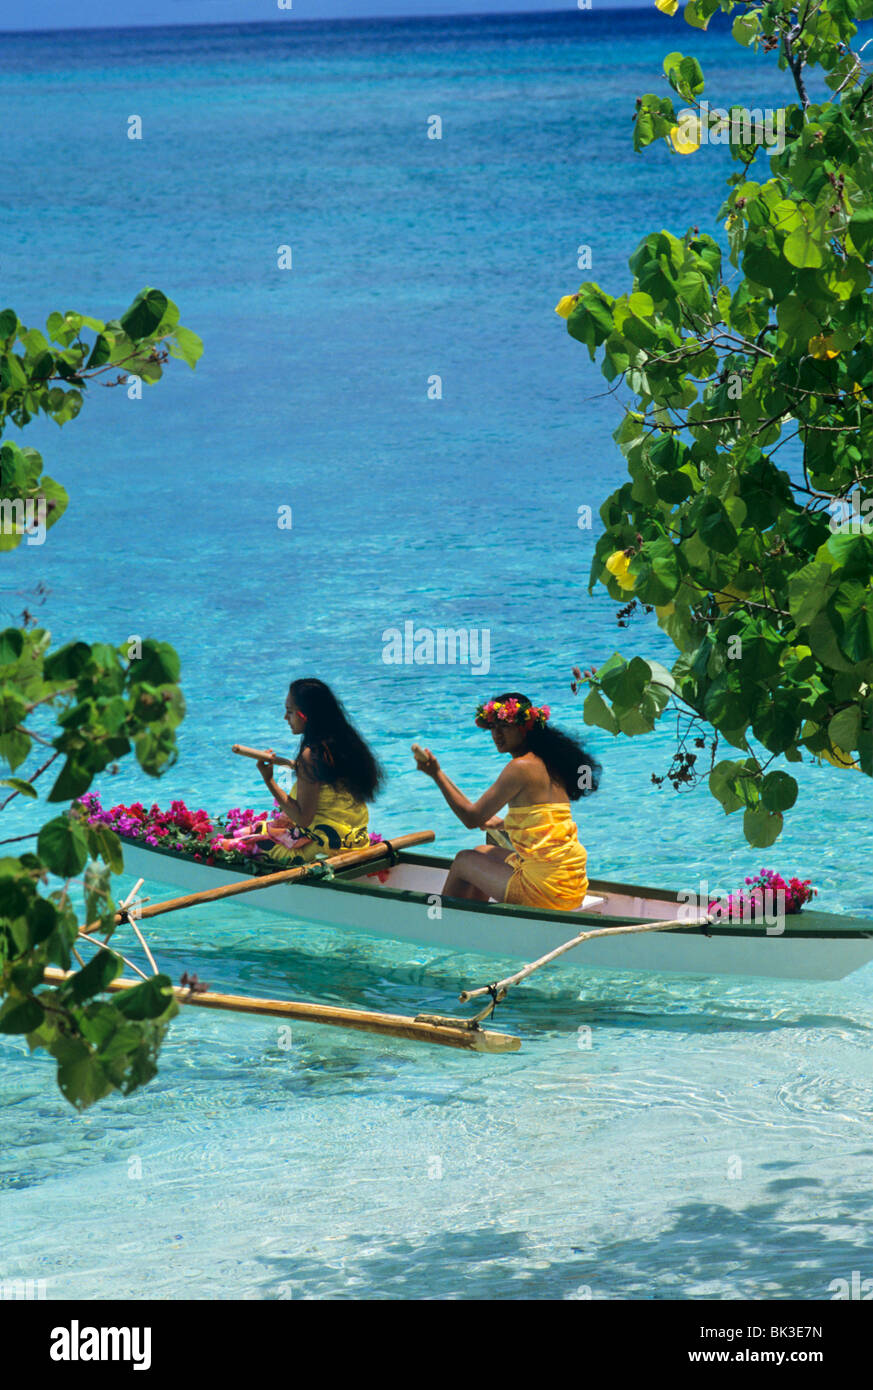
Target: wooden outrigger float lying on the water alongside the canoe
[{"x": 364, "y": 1021}]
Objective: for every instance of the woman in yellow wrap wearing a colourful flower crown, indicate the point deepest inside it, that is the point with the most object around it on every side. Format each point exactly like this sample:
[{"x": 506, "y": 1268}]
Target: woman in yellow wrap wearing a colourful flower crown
[{"x": 547, "y": 769}]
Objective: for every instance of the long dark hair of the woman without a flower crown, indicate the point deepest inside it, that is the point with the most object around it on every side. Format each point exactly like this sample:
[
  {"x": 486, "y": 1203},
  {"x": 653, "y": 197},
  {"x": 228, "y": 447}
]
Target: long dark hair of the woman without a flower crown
[{"x": 340, "y": 754}]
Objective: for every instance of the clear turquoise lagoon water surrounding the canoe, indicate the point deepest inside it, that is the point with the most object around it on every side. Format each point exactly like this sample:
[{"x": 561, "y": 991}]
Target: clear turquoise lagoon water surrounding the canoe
[{"x": 715, "y": 1138}]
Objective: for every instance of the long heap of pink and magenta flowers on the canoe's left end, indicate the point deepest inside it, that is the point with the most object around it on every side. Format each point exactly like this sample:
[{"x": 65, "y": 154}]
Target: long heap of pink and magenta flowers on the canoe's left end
[{"x": 183, "y": 832}]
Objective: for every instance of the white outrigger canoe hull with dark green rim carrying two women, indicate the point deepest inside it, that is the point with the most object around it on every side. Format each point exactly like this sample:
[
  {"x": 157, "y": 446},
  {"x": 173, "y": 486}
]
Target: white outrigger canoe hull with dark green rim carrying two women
[{"x": 407, "y": 906}]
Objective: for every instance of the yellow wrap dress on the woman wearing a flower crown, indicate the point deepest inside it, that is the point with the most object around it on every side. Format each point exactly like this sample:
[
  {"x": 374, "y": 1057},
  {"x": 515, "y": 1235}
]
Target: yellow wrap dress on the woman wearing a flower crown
[{"x": 548, "y": 861}]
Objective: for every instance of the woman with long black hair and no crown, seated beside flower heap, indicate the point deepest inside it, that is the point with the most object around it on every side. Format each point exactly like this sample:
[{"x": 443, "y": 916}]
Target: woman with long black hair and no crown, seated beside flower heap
[{"x": 337, "y": 776}]
